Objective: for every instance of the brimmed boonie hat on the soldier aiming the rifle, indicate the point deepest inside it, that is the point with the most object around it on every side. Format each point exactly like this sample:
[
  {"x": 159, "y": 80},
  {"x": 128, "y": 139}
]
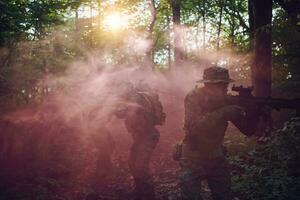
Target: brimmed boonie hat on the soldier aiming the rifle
[{"x": 215, "y": 74}]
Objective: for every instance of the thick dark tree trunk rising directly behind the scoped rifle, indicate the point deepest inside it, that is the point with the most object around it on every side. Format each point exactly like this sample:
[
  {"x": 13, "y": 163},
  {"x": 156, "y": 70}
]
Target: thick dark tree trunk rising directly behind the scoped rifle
[{"x": 262, "y": 65}]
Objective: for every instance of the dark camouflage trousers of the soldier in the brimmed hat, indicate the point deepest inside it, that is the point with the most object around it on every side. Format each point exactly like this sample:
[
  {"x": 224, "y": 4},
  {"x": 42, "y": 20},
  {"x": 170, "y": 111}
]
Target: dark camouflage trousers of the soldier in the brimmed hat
[{"x": 215, "y": 171}]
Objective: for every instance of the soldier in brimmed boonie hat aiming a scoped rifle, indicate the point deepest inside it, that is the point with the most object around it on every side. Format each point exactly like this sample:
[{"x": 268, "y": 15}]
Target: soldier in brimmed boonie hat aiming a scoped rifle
[{"x": 201, "y": 153}]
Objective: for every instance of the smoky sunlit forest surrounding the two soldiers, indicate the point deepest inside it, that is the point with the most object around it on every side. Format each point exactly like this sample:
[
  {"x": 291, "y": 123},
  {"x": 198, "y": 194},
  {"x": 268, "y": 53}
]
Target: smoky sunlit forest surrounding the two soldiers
[{"x": 61, "y": 66}]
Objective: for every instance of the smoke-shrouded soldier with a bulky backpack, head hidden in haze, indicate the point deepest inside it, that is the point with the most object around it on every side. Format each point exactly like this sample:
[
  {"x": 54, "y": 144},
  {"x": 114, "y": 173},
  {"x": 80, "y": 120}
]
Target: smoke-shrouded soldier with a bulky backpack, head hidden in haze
[{"x": 142, "y": 111}]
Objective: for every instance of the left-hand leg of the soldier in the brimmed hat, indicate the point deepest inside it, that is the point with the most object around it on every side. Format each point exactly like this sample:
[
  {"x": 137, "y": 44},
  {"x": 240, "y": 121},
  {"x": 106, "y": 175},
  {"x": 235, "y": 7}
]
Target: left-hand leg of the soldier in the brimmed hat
[{"x": 190, "y": 183}]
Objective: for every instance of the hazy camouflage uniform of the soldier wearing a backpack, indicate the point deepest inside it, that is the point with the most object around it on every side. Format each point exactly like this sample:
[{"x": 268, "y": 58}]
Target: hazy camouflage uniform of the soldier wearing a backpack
[{"x": 140, "y": 122}]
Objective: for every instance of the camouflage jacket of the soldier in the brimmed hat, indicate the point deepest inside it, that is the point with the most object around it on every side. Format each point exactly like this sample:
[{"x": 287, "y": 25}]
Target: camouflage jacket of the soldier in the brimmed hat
[{"x": 204, "y": 122}]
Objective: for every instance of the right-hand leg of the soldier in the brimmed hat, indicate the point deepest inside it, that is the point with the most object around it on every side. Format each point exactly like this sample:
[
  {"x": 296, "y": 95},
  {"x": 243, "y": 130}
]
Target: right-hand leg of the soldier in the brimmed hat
[{"x": 219, "y": 181}]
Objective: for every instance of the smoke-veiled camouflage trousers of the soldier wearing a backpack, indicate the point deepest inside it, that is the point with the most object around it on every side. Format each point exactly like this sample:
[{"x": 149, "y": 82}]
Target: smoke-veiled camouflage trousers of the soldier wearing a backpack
[{"x": 139, "y": 160}]
